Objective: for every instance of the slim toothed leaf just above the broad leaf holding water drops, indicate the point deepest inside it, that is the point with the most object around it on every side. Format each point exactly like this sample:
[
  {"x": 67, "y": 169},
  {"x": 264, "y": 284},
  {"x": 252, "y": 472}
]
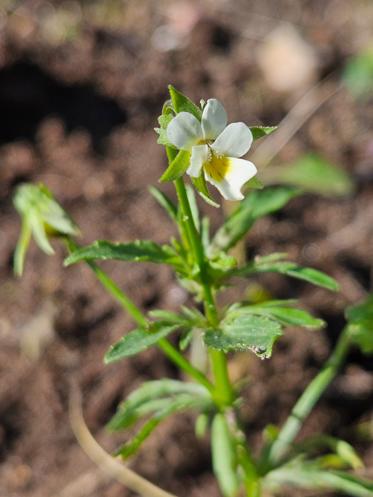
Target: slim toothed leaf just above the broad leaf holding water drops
[{"x": 282, "y": 312}]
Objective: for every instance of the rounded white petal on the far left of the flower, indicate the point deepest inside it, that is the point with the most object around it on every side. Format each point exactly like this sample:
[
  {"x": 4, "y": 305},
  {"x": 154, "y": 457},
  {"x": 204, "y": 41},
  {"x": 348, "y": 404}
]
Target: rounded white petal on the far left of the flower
[{"x": 184, "y": 131}]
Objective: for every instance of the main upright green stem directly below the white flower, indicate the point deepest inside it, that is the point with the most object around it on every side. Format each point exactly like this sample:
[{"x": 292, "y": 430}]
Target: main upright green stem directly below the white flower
[{"x": 224, "y": 394}]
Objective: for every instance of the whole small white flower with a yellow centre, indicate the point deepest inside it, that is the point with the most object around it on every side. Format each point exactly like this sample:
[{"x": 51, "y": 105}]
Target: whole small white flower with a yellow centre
[{"x": 215, "y": 148}]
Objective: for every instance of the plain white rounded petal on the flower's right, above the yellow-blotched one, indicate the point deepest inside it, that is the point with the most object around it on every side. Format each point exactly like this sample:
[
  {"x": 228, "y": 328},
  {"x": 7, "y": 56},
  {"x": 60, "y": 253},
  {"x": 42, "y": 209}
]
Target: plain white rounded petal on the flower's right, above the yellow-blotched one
[{"x": 234, "y": 141}]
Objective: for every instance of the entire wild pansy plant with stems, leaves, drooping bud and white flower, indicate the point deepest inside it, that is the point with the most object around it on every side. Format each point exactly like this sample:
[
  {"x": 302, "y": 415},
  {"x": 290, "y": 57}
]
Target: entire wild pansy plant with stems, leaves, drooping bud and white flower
[{"x": 199, "y": 143}]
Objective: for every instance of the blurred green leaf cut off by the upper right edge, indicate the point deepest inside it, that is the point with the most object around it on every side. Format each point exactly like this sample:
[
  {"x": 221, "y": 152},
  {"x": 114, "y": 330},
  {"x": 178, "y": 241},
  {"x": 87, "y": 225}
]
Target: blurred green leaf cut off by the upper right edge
[{"x": 358, "y": 74}]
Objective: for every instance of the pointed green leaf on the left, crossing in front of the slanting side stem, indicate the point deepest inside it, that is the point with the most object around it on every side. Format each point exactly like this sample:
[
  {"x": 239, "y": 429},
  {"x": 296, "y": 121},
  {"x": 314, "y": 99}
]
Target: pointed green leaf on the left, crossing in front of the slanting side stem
[{"x": 137, "y": 341}]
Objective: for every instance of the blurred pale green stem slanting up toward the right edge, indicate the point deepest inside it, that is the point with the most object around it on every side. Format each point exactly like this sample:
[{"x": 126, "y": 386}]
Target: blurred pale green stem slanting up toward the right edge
[{"x": 308, "y": 399}]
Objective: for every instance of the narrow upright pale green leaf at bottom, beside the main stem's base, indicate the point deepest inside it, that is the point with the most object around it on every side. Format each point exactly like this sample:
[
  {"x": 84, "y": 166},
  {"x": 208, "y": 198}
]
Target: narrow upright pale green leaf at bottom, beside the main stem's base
[{"x": 223, "y": 456}]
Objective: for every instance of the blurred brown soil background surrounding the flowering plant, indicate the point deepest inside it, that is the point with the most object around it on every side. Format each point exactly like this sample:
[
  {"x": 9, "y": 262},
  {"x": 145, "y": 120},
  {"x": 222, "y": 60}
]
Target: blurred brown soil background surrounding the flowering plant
[{"x": 81, "y": 86}]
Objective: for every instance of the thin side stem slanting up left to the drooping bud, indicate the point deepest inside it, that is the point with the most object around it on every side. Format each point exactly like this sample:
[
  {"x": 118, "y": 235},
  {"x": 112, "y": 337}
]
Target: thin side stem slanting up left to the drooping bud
[{"x": 169, "y": 350}]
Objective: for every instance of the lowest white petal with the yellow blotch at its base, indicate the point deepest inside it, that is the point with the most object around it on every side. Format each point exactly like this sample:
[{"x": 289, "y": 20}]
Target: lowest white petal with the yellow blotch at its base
[{"x": 238, "y": 172}]
